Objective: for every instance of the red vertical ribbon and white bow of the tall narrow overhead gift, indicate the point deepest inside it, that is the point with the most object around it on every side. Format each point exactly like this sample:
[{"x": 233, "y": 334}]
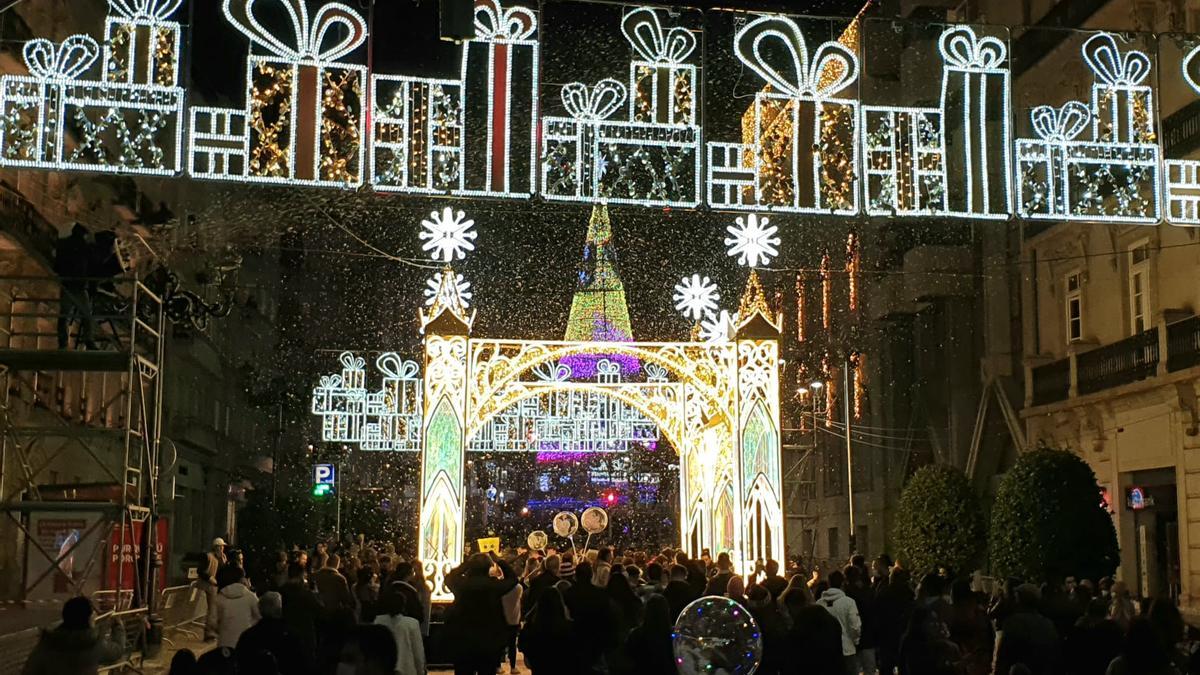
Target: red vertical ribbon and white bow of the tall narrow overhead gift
[{"x": 499, "y": 27}]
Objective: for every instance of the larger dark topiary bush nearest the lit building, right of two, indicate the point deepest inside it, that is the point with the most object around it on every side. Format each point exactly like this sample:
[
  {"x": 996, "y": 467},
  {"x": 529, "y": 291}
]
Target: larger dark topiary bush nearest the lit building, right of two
[{"x": 1049, "y": 522}]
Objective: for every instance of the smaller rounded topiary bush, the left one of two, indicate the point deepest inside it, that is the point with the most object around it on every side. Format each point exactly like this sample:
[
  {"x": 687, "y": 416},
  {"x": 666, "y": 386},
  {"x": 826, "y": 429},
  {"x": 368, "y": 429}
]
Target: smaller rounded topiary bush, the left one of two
[{"x": 939, "y": 522}]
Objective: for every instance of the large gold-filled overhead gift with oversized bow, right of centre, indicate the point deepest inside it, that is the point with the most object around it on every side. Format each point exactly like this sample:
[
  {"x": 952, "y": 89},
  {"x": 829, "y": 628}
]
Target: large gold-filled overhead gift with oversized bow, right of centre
[{"x": 802, "y": 133}]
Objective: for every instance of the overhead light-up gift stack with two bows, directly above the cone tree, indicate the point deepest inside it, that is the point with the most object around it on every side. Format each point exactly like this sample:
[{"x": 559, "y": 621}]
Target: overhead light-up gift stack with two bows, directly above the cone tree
[{"x": 652, "y": 158}]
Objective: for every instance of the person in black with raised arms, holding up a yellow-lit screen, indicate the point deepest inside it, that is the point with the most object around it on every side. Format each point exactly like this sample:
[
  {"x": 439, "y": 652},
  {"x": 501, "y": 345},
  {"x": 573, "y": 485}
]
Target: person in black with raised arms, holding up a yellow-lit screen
[{"x": 476, "y": 623}]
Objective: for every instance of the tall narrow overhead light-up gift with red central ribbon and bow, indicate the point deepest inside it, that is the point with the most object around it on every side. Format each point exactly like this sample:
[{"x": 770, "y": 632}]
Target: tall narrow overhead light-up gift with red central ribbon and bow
[{"x": 500, "y": 76}]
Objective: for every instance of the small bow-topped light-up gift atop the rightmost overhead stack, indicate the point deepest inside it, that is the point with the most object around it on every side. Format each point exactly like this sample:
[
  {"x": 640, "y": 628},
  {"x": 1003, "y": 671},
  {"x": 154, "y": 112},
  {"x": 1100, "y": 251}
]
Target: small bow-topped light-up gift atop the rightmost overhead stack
[{"x": 1123, "y": 106}]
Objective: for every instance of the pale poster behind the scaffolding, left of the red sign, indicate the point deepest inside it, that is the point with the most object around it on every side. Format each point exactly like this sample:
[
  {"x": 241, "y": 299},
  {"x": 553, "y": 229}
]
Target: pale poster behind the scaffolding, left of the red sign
[{"x": 71, "y": 540}]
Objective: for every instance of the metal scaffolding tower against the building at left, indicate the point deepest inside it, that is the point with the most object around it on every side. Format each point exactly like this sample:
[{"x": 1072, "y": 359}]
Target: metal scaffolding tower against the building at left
[{"x": 80, "y": 439}]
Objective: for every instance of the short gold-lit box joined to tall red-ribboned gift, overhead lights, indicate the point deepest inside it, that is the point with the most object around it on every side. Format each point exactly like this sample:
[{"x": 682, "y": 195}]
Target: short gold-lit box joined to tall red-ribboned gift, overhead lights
[{"x": 423, "y": 128}]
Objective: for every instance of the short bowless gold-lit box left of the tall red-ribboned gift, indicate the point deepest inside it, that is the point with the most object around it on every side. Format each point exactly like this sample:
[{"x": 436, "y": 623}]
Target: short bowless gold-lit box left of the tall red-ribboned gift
[{"x": 417, "y": 135}]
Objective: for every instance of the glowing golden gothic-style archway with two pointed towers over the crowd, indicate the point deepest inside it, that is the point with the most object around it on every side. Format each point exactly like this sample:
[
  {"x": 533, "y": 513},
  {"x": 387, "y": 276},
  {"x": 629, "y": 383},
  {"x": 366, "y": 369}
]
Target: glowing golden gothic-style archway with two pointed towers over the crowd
[{"x": 717, "y": 402}]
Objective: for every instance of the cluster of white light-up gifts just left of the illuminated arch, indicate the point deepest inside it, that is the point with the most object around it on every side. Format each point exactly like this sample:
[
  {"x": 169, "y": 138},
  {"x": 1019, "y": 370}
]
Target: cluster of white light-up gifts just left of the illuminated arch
[{"x": 385, "y": 420}]
